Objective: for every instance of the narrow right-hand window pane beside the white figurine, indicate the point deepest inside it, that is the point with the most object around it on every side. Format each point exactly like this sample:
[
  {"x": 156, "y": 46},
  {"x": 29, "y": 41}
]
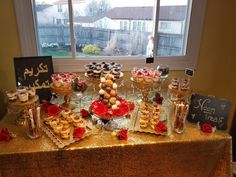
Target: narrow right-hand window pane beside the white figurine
[{"x": 172, "y": 28}]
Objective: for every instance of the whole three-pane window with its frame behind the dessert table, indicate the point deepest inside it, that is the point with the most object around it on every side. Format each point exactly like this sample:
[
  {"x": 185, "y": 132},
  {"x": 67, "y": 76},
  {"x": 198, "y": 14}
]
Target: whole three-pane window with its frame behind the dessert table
[{"x": 117, "y": 29}]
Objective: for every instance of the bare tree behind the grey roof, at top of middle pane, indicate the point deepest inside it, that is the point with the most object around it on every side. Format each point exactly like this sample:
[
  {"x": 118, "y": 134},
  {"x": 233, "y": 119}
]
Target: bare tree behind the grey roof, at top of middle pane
[{"x": 97, "y": 7}]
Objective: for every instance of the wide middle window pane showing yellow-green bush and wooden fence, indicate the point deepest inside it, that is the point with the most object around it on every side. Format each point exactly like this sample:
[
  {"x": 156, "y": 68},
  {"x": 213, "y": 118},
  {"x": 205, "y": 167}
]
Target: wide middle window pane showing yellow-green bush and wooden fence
[{"x": 112, "y": 27}]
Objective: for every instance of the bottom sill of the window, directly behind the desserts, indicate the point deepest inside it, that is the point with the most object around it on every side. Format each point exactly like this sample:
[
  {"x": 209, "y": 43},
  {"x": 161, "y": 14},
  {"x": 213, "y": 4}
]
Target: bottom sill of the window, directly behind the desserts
[{"x": 77, "y": 65}]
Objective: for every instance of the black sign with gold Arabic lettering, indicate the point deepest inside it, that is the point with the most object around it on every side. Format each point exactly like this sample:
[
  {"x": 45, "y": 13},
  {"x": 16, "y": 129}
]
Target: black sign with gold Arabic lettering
[{"x": 35, "y": 72}]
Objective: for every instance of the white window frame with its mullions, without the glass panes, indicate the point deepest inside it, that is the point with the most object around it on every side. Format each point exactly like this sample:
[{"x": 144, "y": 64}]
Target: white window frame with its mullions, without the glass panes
[{"x": 28, "y": 41}]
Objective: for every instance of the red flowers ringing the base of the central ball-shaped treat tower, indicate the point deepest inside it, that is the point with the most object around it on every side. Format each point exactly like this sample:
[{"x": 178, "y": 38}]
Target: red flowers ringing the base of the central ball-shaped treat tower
[{"x": 100, "y": 109}]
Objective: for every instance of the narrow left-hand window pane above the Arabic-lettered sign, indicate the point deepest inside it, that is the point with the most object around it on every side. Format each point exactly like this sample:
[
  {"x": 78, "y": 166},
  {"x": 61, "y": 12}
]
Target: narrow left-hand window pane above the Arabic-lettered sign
[{"x": 53, "y": 29}]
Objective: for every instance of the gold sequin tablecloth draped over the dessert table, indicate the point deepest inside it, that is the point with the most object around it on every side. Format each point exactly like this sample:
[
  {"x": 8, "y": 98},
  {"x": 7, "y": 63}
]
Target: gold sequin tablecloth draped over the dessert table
[{"x": 192, "y": 154}]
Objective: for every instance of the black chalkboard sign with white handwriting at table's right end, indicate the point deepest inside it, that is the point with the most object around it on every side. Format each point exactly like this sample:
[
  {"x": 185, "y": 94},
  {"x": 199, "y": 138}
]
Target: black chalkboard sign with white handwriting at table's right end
[{"x": 209, "y": 109}]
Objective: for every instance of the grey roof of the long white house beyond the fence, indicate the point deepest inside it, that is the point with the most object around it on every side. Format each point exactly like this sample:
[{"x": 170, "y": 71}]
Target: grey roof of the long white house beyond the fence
[{"x": 167, "y": 13}]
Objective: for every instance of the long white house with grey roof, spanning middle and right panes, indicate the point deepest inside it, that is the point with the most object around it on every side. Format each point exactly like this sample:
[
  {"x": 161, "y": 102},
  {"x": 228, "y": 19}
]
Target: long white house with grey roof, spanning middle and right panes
[{"x": 138, "y": 19}]
